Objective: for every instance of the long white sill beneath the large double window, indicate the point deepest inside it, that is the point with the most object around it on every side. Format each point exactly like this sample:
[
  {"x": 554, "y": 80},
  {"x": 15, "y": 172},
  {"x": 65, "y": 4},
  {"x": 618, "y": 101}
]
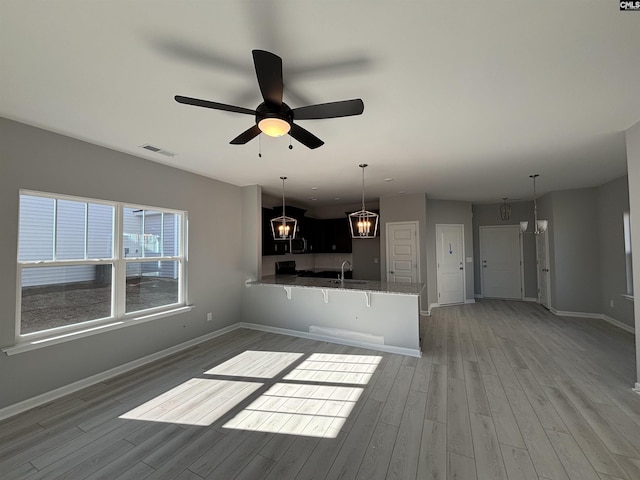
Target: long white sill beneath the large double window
[{"x": 25, "y": 346}]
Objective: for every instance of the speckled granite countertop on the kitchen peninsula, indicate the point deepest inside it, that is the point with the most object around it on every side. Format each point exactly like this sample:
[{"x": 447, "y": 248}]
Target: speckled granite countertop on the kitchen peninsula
[{"x": 334, "y": 284}]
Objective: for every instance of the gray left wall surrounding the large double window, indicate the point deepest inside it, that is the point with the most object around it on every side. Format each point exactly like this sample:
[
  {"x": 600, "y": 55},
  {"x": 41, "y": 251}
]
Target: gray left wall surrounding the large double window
[{"x": 35, "y": 159}]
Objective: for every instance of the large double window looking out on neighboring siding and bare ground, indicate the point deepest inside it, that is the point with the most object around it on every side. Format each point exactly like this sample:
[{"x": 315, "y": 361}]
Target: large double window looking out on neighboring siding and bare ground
[{"x": 83, "y": 262}]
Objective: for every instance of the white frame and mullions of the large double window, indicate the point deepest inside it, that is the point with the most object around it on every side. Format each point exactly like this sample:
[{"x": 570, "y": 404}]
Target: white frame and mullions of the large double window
[{"x": 119, "y": 316}]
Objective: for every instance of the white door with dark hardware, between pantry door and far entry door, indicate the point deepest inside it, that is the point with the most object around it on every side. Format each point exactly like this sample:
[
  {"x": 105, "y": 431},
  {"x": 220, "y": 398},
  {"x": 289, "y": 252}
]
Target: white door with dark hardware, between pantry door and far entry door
[{"x": 450, "y": 255}]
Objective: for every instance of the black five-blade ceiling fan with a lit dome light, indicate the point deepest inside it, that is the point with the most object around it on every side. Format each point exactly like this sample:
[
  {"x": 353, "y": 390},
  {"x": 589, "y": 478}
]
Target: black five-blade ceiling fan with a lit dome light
[{"x": 274, "y": 117}]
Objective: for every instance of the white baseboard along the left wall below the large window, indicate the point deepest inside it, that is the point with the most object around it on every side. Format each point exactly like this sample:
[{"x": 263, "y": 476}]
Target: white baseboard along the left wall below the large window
[{"x": 46, "y": 397}]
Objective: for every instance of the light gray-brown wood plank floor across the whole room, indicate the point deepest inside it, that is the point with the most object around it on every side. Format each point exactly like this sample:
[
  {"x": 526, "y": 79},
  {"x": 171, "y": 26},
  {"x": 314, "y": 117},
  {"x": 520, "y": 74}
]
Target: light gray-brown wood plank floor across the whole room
[{"x": 504, "y": 390}]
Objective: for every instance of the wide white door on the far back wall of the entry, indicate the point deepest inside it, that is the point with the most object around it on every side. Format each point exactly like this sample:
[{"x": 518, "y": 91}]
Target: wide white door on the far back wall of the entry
[{"x": 500, "y": 254}]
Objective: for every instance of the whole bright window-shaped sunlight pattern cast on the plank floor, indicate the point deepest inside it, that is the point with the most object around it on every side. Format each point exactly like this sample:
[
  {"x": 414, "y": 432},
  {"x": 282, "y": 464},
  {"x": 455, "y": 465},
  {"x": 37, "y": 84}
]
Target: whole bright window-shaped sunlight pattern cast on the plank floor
[{"x": 313, "y": 399}]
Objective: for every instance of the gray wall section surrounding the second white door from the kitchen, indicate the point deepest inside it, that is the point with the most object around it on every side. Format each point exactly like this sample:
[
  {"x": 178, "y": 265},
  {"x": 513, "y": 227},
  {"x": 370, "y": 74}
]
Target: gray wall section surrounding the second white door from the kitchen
[{"x": 443, "y": 212}]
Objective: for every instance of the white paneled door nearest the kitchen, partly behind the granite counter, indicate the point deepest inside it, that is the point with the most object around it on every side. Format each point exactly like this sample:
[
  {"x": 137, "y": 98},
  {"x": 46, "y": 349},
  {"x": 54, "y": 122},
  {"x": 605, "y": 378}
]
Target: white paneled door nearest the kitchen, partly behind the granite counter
[{"x": 402, "y": 252}]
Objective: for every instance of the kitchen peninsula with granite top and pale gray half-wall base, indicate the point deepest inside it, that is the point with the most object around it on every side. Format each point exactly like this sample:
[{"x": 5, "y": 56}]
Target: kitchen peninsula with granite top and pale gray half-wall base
[{"x": 371, "y": 314}]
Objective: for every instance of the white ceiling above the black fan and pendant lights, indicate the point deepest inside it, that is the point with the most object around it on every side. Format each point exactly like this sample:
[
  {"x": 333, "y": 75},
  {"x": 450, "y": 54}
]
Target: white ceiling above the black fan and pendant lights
[{"x": 463, "y": 100}]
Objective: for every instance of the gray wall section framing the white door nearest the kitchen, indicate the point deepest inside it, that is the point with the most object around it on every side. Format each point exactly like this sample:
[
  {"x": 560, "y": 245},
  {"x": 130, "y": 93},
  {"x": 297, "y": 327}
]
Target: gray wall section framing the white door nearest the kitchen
[{"x": 405, "y": 208}]
